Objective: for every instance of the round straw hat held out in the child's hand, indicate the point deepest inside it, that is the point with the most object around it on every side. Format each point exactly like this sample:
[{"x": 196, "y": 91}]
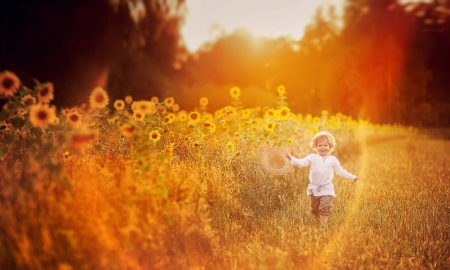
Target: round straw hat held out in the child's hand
[{"x": 274, "y": 161}]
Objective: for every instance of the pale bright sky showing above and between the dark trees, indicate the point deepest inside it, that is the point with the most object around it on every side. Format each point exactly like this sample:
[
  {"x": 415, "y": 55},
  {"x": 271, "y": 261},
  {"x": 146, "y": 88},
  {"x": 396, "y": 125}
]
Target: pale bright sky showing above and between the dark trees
[{"x": 207, "y": 19}]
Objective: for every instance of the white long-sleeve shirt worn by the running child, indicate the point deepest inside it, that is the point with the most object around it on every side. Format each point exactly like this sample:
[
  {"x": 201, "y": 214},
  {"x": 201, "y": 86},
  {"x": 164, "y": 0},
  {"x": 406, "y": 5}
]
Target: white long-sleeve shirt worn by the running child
[{"x": 321, "y": 173}]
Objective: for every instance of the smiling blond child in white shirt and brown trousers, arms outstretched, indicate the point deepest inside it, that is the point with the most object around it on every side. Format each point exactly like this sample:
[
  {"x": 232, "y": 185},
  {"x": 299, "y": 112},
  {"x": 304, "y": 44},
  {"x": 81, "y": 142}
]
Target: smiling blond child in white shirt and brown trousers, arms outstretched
[{"x": 323, "y": 167}]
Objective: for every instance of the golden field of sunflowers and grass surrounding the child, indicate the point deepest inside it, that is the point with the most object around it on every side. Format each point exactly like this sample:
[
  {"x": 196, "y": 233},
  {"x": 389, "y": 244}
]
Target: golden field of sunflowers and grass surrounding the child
[{"x": 145, "y": 184}]
